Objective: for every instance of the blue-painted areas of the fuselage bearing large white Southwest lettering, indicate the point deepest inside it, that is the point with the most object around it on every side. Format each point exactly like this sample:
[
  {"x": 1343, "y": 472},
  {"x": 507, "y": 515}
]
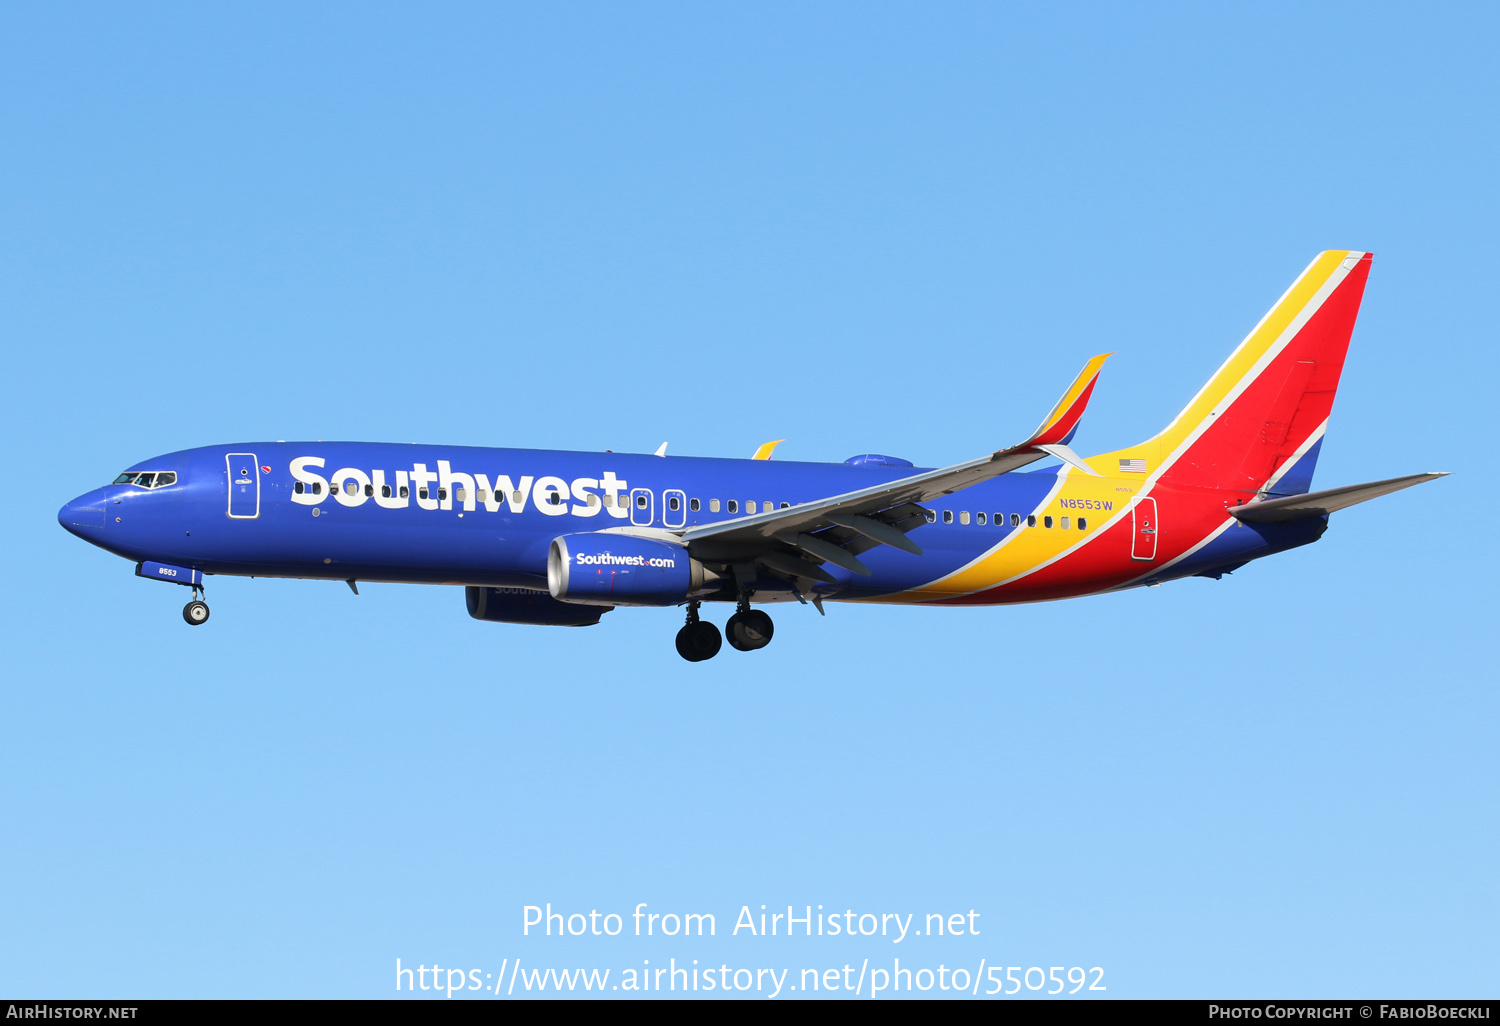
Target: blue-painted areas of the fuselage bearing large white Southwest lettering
[{"x": 487, "y": 517}]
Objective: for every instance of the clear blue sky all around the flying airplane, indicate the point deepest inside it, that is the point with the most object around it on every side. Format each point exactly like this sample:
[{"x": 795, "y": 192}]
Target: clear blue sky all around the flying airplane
[{"x": 890, "y": 229}]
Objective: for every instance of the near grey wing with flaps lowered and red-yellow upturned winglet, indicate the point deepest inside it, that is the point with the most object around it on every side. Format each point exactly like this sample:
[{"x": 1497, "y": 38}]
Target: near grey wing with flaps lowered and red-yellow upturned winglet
[{"x": 796, "y": 542}]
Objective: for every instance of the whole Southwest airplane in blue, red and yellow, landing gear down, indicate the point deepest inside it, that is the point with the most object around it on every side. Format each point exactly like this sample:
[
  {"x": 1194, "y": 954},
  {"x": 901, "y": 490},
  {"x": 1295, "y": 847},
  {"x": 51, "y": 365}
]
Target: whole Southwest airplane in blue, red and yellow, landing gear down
[{"x": 563, "y": 538}]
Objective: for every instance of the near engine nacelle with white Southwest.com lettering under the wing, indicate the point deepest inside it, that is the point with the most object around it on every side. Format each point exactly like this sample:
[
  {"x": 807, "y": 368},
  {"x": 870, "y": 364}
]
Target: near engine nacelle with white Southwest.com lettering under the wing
[{"x": 604, "y": 569}]
